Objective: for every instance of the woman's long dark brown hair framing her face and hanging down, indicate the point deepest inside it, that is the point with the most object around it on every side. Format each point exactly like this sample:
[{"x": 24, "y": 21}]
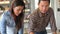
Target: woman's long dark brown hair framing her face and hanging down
[{"x": 19, "y": 19}]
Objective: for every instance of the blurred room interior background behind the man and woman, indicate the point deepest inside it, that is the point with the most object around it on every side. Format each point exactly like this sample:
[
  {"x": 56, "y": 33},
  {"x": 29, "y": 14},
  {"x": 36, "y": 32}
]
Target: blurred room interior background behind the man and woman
[{"x": 30, "y": 6}]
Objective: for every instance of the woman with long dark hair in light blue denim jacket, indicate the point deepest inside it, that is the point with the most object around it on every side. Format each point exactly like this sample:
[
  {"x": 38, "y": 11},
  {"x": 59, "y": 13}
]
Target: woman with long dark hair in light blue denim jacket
[{"x": 12, "y": 20}]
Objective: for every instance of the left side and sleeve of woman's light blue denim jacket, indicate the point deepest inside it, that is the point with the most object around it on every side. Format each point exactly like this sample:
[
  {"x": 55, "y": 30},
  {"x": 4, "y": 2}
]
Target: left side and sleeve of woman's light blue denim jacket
[{"x": 6, "y": 20}]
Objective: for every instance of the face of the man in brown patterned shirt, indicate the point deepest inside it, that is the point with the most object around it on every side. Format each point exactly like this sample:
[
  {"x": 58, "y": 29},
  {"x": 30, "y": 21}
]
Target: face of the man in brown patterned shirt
[{"x": 43, "y": 6}]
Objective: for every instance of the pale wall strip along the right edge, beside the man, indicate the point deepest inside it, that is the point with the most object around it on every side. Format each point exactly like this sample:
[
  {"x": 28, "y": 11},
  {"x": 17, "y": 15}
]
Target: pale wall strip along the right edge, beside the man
[{"x": 57, "y": 13}]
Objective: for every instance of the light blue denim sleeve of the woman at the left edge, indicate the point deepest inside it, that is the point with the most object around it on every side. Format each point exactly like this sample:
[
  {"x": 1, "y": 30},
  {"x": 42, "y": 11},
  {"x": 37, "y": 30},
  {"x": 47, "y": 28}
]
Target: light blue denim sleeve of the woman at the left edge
[{"x": 3, "y": 24}]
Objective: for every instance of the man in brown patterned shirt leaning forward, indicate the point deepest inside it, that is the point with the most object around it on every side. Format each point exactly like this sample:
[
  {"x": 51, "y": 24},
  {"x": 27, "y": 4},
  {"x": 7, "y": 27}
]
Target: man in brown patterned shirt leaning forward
[{"x": 40, "y": 18}]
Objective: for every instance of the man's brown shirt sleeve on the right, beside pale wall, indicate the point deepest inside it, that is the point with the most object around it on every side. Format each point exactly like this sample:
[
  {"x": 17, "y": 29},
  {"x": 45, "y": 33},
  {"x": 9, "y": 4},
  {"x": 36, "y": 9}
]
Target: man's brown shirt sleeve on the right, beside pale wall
[{"x": 53, "y": 22}]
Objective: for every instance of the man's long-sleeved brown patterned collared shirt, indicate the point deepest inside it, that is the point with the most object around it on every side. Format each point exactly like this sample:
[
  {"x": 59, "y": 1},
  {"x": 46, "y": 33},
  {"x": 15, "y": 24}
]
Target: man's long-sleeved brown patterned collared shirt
[{"x": 38, "y": 22}]
